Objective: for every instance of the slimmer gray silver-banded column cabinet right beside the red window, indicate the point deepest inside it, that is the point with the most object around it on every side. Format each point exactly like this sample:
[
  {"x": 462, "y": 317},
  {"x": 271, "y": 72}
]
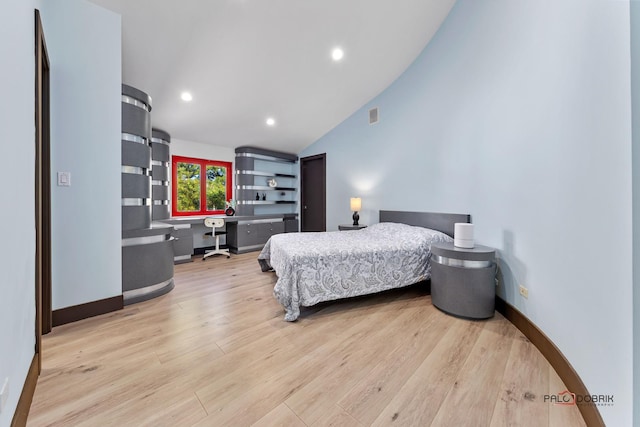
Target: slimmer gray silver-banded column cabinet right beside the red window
[{"x": 160, "y": 173}]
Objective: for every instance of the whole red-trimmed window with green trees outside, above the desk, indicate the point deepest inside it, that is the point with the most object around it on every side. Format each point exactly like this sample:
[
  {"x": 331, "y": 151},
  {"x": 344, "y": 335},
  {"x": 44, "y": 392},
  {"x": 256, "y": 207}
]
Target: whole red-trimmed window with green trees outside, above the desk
[{"x": 199, "y": 186}]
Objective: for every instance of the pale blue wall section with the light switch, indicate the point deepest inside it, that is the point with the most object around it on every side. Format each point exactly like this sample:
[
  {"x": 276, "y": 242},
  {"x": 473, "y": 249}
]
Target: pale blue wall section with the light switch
[{"x": 84, "y": 44}]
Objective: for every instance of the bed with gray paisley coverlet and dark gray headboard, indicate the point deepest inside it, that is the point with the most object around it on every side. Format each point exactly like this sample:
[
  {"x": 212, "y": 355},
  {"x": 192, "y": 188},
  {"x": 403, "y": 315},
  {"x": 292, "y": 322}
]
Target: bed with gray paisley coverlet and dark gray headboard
[{"x": 326, "y": 266}]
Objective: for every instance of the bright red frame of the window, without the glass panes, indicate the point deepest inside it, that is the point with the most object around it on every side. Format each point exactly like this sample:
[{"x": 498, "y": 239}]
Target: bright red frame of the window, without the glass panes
[{"x": 203, "y": 184}]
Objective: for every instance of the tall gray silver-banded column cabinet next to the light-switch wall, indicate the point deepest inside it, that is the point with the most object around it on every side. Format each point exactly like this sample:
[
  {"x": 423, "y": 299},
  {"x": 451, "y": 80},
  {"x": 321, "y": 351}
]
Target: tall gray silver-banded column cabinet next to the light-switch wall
[{"x": 136, "y": 159}]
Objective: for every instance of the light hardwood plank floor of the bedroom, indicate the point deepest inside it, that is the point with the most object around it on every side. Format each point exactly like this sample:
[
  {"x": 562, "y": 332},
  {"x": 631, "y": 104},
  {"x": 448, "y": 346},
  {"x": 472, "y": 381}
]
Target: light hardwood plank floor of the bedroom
[{"x": 216, "y": 351}]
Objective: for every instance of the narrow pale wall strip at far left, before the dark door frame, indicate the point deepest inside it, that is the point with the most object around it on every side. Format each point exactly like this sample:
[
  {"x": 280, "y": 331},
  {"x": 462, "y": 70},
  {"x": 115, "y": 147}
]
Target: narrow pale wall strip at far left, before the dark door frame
[{"x": 17, "y": 253}]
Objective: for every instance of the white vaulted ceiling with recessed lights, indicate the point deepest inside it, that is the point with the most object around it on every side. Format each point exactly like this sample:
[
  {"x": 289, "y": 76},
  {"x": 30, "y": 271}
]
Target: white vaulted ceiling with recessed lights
[{"x": 244, "y": 61}]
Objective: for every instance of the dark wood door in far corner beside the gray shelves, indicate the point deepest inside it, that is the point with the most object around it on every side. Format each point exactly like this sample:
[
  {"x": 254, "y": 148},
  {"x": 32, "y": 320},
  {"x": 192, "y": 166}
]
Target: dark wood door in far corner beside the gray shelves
[{"x": 313, "y": 193}]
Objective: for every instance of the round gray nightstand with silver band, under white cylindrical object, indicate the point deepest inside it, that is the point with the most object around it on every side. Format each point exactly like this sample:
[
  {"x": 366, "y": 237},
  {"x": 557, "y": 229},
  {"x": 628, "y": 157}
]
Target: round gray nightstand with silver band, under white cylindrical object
[{"x": 463, "y": 280}]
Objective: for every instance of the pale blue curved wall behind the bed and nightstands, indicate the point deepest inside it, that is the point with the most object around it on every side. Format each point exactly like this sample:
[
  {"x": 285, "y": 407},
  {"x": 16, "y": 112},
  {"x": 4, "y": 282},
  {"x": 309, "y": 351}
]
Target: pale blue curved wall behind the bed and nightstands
[{"x": 519, "y": 114}]
